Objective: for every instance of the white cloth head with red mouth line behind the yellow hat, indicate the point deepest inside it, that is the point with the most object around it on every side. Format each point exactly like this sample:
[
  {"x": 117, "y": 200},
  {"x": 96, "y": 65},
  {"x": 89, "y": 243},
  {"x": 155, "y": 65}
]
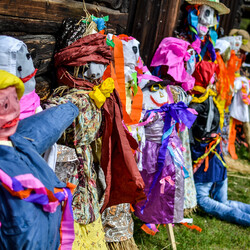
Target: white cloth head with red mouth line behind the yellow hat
[{"x": 16, "y": 59}]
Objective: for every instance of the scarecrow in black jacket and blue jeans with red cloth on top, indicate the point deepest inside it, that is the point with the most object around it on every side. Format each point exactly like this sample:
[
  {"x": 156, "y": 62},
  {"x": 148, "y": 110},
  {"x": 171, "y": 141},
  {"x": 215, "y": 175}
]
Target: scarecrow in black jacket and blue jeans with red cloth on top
[{"x": 210, "y": 172}]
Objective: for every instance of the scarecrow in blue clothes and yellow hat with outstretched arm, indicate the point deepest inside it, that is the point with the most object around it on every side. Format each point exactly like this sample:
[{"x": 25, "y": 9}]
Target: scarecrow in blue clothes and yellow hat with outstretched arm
[{"x": 26, "y": 181}]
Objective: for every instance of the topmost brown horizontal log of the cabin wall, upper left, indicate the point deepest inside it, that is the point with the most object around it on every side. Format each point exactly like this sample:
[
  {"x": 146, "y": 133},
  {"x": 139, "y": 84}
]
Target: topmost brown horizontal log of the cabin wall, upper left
[{"x": 57, "y": 10}]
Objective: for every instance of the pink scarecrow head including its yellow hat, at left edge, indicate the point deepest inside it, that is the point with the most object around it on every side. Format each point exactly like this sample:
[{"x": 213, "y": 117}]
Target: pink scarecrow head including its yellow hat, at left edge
[{"x": 11, "y": 90}]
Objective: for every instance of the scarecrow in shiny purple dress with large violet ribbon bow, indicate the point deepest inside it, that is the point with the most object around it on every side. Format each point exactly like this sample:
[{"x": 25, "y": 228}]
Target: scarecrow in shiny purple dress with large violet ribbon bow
[{"x": 162, "y": 161}]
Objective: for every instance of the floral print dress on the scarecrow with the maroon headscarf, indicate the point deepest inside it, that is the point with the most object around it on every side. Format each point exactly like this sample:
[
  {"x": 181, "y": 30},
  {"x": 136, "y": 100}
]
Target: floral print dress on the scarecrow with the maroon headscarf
[{"x": 79, "y": 136}]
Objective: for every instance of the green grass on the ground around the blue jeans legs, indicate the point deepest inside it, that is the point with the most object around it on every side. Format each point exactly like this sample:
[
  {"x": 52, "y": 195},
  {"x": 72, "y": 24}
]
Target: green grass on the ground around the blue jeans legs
[{"x": 216, "y": 234}]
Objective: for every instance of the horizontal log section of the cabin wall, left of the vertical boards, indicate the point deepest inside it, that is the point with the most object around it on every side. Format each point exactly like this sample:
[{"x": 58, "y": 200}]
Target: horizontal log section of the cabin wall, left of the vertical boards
[{"x": 36, "y": 22}]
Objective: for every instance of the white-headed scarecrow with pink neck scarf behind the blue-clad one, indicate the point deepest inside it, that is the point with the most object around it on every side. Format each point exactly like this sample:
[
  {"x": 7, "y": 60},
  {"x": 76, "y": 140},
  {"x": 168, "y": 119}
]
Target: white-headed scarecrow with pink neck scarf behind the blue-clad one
[{"x": 16, "y": 59}]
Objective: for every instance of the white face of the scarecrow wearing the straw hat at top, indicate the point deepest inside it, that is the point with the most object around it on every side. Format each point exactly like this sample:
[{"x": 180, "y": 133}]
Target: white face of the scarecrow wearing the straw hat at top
[{"x": 206, "y": 19}]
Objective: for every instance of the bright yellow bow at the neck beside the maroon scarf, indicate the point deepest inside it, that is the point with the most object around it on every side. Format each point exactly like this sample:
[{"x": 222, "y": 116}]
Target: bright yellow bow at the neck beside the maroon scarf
[{"x": 101, "y": 92}]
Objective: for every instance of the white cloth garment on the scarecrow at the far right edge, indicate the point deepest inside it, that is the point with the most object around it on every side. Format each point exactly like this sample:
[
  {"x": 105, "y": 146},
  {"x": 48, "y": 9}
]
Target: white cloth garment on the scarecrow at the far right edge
[{"x": 238, "y": 109}]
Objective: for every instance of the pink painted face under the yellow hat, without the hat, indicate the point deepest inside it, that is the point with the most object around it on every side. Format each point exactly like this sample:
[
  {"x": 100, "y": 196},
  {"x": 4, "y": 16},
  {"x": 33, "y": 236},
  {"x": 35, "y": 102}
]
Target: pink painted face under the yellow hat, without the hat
[{"x": 9, "y": 112}]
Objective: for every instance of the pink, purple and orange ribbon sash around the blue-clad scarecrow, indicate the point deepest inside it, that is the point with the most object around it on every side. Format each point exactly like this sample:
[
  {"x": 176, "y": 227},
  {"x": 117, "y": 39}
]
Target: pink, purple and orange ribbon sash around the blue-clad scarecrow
[{"x": 29, "y": 188}]
